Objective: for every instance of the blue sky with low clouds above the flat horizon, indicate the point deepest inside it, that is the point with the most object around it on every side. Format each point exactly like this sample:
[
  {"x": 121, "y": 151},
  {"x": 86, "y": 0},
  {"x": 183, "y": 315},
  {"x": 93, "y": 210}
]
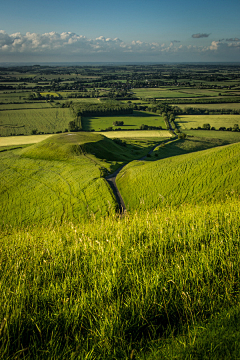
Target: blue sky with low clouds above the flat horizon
[{"x": 119, "y": 31}]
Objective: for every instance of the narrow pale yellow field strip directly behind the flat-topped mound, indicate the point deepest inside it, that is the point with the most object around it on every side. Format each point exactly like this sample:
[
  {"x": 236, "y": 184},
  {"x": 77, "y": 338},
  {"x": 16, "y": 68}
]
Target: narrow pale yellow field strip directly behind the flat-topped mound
[{"x": 136, "y": 134}]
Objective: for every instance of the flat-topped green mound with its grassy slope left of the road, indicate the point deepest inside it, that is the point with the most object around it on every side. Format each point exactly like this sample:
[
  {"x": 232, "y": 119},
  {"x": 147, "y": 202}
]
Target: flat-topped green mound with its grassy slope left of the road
[{"x": 61, "y": 177}]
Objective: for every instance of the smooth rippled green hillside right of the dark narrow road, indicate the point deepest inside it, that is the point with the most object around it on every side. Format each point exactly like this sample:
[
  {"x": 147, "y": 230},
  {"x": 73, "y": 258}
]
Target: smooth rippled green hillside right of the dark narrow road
[{"x": 208, "y": 174}]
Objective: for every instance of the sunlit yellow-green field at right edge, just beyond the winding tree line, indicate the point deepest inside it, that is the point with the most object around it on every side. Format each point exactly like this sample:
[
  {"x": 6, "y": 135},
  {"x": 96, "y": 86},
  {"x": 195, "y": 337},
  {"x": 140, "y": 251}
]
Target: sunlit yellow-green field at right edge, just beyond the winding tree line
[{"x": 187, "y": 122}]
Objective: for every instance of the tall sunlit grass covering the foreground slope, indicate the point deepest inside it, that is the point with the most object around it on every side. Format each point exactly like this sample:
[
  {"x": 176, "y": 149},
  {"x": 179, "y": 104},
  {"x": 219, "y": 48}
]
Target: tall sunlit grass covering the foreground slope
[{"x": 108, "y": 286}]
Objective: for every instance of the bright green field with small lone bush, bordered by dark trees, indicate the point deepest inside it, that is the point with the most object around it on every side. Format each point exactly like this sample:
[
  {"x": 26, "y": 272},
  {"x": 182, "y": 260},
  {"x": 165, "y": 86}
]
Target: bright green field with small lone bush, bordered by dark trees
[{"x": 131, "y": 121}]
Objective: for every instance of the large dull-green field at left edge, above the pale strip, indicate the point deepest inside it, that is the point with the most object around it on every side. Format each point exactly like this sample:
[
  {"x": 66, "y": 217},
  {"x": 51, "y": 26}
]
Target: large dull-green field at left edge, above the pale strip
[{"x": 24, "y": 121}]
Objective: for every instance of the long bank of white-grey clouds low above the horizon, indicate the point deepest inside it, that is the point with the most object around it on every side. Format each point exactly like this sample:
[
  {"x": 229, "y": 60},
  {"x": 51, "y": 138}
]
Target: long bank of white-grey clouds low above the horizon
[{"x": 69, "y": 46}]
